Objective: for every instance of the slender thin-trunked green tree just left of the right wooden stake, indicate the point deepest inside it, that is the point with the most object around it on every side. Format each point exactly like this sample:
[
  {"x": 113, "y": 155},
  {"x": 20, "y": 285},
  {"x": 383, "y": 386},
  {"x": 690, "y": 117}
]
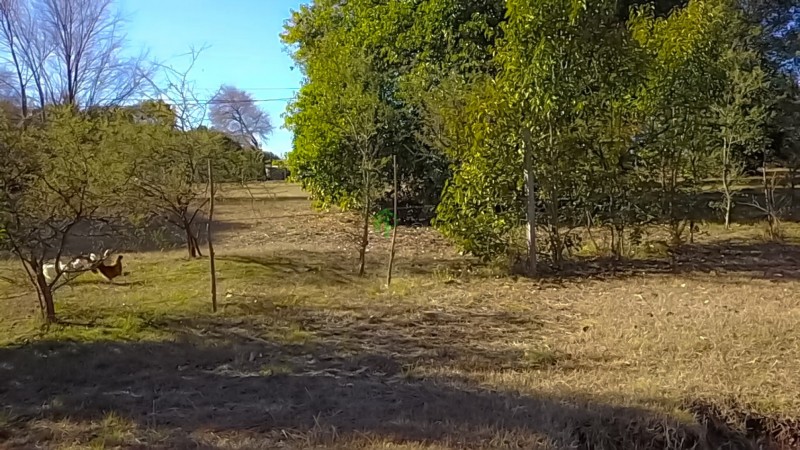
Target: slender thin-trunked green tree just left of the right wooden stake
[{"x": 342, "y": 124}]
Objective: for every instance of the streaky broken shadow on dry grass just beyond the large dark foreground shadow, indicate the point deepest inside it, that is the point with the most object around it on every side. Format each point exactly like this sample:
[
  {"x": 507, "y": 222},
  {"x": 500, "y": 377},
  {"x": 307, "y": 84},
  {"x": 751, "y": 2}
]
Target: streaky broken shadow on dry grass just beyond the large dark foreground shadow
[{"x": 456, "y": 341}]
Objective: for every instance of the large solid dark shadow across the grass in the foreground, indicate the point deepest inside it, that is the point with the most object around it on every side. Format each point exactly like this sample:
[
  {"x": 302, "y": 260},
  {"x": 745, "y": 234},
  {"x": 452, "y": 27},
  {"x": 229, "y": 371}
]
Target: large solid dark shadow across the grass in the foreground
[{"x": 274, "y": 392}]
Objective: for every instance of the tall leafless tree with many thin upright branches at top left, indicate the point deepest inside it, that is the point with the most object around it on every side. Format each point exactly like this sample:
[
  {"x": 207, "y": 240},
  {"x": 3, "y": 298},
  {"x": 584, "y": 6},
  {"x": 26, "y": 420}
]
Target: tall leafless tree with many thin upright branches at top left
[{"x": 70, "y": 52}]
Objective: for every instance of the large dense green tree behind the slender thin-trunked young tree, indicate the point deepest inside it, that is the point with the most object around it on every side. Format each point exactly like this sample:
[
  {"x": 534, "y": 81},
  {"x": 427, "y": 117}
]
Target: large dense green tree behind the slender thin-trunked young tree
[{"x": 412, "y": 46}]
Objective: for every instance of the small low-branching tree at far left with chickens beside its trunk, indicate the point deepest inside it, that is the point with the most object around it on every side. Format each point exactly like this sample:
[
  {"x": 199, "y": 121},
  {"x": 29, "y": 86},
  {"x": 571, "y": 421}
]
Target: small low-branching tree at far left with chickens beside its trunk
[{"x": 53, "y": 180}]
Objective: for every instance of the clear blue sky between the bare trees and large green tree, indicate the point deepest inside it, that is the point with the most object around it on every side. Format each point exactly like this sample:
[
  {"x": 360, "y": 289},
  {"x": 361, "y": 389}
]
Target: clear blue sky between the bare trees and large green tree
[{"x": 243, "y": 47}]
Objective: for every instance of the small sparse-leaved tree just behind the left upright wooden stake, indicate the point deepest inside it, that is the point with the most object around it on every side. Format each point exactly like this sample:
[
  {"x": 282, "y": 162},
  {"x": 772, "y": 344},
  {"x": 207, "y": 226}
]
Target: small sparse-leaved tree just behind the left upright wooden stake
[{"x": 168, "y": 166}]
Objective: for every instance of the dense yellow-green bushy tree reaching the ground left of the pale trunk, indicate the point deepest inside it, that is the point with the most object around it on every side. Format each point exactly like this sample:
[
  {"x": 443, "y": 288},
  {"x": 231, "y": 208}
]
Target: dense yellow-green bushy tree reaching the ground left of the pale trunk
[{"x": 484, "y": 201}]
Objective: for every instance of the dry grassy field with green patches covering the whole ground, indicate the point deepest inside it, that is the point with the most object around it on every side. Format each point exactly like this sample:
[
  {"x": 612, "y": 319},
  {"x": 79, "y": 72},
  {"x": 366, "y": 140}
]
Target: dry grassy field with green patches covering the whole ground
[{"x": 303, "y": 354}]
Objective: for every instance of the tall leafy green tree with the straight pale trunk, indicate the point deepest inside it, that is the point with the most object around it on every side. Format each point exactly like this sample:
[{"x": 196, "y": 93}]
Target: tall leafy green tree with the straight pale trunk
[{"x": 556, "y": 56}]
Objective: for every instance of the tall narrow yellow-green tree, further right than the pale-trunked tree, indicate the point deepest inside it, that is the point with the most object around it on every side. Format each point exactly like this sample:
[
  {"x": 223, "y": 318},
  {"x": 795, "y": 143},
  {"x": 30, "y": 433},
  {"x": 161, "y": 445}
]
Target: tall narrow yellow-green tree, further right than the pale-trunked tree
[{"x": 682, "y": 79}]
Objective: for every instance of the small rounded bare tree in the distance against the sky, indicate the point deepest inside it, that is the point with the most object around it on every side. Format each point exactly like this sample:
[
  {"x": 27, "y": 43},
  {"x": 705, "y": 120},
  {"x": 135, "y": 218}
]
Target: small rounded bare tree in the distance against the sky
[{"x": 234, "y": 112}]
